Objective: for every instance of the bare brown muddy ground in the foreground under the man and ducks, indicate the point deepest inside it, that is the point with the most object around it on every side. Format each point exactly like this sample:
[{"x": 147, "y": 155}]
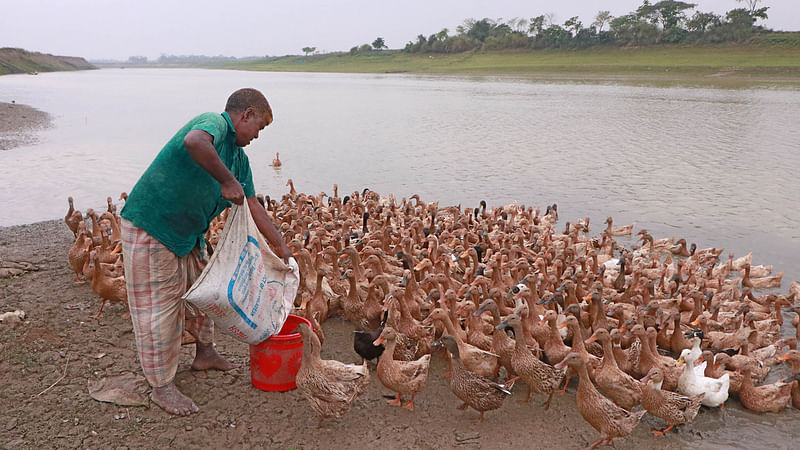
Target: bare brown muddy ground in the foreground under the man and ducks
[{"x": 59, "y": 339}]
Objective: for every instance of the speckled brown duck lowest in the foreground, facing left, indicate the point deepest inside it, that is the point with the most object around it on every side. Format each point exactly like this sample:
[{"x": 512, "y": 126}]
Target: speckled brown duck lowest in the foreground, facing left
[{"x": 610, "y": 420}]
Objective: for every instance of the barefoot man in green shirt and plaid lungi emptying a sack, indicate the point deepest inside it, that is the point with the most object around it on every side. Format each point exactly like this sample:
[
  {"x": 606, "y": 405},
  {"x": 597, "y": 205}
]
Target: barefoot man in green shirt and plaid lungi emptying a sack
[{"x": 197, "y": 174}]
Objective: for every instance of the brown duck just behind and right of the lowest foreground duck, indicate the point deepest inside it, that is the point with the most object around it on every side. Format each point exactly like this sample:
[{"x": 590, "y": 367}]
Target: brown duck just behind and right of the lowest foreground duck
[{"x": 621, "y": 388}]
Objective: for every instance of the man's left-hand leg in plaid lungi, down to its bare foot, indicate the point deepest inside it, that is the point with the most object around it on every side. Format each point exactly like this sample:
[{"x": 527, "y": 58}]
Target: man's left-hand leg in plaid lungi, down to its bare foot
[{"x": 156, "y": 280}]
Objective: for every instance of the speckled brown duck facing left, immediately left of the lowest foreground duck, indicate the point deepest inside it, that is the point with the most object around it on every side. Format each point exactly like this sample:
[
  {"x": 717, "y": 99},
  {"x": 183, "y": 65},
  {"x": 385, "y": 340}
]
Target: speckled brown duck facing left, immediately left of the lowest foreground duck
[{"x": 540, "y": 377}]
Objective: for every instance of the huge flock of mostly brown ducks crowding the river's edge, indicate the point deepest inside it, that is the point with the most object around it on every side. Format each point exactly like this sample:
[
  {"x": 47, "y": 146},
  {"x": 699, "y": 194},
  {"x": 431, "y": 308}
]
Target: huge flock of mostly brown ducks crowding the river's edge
[{"x": 658, "y": 328}]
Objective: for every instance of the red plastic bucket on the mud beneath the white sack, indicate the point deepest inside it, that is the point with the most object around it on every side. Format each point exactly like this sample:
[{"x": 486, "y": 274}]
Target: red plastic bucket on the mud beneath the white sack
[{"x": 275, "y": 362}]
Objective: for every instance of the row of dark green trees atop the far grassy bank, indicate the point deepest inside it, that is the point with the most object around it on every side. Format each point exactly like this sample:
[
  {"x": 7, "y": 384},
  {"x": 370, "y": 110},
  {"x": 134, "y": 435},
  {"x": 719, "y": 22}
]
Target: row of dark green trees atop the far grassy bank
[{"x": 665, "y": 21}]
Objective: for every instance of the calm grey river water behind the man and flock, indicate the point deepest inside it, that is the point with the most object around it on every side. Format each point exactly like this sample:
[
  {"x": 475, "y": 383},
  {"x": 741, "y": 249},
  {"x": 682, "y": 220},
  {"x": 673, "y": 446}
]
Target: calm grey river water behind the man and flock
[{"x": 717, "y": 166}]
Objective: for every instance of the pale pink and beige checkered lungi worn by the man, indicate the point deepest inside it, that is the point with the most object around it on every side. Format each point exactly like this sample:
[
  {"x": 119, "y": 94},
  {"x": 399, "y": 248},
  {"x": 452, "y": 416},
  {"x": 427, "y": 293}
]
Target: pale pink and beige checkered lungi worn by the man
[{"x": 157, "y": 279}]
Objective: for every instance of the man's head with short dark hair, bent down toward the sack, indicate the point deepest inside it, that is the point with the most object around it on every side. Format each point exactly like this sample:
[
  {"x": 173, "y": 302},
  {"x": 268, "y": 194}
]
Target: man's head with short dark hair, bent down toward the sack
[{"x": 250, "y": 113}]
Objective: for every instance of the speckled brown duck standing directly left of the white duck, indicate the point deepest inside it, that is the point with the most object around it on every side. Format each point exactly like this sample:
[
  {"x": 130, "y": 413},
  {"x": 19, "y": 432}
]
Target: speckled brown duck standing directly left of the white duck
[{"x": 673, "y": 408}]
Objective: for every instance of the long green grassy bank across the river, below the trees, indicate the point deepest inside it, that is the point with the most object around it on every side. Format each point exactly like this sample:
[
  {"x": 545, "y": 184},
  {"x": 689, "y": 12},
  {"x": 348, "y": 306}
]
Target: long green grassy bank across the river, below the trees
[{"x": 747, "y": 61}]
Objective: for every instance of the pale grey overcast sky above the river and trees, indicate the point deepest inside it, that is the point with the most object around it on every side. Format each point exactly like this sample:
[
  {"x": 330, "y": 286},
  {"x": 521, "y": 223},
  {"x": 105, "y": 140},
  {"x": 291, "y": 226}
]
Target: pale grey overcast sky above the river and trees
[{"x": 117, "y": 29}]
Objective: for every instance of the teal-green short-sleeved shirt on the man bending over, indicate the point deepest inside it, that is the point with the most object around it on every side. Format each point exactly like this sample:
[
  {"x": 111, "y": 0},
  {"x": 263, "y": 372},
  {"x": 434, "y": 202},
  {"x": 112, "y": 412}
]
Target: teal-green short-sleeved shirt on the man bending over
[{"x": 175, "y": 199}]
